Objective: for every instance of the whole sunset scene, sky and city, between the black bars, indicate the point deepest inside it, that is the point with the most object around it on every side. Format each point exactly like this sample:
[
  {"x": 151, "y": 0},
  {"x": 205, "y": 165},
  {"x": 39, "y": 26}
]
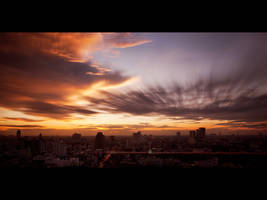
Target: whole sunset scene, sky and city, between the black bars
[{"x": 133, "y": 100}]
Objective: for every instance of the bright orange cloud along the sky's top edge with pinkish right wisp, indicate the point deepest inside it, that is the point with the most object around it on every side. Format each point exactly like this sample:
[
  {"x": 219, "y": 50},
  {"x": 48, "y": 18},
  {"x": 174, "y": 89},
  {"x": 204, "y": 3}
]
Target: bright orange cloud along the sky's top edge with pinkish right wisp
[{"x": 76, "y": 47}]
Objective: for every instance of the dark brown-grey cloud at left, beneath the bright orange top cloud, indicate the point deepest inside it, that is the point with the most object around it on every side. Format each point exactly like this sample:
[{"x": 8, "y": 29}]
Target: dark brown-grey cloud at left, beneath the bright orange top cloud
[{"x": 38, "y": 82}]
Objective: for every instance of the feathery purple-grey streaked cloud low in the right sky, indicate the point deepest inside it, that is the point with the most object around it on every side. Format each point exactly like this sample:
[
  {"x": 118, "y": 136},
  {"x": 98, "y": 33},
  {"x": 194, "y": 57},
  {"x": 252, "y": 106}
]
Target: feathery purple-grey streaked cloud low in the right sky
[{"x": 215, "y": 100}]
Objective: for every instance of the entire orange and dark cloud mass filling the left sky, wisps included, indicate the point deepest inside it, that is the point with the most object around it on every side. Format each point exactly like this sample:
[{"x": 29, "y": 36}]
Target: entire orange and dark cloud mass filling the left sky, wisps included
[{"x": 41, "y": 71}]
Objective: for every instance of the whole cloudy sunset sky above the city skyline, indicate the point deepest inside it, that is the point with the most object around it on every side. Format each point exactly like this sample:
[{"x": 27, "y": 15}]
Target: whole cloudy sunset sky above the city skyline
[{"x": 120, "y": 83}]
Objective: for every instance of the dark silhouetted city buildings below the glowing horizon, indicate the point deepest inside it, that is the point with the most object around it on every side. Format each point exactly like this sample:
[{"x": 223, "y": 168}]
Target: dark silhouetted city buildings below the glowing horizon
[{"x": 196, "y": 150}]
